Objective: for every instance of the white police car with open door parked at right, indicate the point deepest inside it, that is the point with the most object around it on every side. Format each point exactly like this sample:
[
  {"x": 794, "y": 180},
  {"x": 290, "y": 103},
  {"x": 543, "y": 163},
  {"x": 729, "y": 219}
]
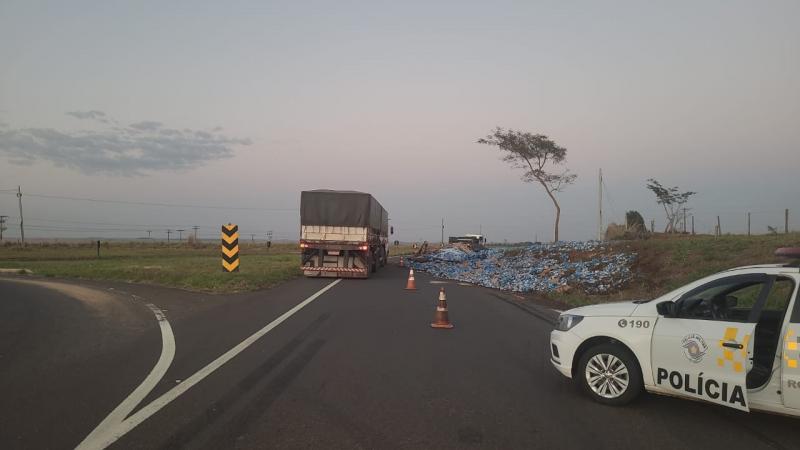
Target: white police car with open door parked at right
[{"x": 732, "y": 338}]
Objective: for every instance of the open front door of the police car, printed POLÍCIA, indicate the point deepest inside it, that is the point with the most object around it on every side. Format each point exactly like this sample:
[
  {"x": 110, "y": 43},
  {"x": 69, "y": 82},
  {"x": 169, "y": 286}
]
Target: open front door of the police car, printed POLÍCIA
[{"x": 702, "y": 347}]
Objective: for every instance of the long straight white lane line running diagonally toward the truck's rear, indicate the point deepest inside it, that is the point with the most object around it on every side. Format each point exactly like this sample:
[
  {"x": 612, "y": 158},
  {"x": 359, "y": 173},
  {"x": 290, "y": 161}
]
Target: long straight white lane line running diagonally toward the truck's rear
[{"x": 112, "y": 435}]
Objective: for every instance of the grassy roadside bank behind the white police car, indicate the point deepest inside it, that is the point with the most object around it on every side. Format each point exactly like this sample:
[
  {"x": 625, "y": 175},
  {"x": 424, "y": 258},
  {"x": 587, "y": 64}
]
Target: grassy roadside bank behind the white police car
[{"x": 668, "y": 262}]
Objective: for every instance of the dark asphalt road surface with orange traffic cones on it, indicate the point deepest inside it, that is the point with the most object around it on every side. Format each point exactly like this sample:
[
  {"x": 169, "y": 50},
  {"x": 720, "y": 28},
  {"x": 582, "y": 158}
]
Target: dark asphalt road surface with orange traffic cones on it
[{"x": 359, "y": 367}]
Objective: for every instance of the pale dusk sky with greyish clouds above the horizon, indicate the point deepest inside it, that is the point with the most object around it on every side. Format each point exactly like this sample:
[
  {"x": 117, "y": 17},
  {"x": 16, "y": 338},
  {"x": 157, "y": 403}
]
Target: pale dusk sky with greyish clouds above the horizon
[{"x": 225, "y": 111}]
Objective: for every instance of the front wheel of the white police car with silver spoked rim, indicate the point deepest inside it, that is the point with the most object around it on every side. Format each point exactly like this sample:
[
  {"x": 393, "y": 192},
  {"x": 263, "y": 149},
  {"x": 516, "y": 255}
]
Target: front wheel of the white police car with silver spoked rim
[{"x": 609, "y": 374}]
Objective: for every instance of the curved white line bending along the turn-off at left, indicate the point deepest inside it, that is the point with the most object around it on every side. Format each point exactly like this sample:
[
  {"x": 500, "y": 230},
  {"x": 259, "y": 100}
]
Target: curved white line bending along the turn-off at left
[{"x": 96, "y": 437}]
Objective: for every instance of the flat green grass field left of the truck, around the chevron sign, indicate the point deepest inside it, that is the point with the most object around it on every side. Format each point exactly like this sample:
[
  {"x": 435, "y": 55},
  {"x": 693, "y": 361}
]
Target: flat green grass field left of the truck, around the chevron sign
[{"x": 176, "y": 265}]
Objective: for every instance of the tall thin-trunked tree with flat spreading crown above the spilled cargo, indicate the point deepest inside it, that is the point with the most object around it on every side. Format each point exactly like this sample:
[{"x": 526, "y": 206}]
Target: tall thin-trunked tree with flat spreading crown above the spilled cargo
[{"x": 536, "y": 154}]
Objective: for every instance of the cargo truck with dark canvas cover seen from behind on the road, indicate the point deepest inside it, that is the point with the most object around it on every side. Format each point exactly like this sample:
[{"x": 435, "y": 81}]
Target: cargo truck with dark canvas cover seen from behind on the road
[{"x": 343, "y": 234}]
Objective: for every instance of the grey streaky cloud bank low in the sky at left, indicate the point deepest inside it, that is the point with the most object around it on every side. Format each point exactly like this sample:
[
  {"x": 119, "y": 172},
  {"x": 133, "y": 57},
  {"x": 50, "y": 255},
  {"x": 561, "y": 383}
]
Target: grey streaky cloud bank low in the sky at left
[{"x": 137, "y": 149}]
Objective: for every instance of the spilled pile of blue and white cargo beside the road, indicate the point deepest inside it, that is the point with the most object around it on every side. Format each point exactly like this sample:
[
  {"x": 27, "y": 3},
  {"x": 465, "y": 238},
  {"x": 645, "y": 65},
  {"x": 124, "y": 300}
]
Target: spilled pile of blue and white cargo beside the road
[{"x": 560, "y": 267}]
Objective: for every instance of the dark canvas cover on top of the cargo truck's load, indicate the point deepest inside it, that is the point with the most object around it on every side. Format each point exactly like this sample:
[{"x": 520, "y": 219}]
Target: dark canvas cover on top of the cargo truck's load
[{"x": 343, "y": 209}]
